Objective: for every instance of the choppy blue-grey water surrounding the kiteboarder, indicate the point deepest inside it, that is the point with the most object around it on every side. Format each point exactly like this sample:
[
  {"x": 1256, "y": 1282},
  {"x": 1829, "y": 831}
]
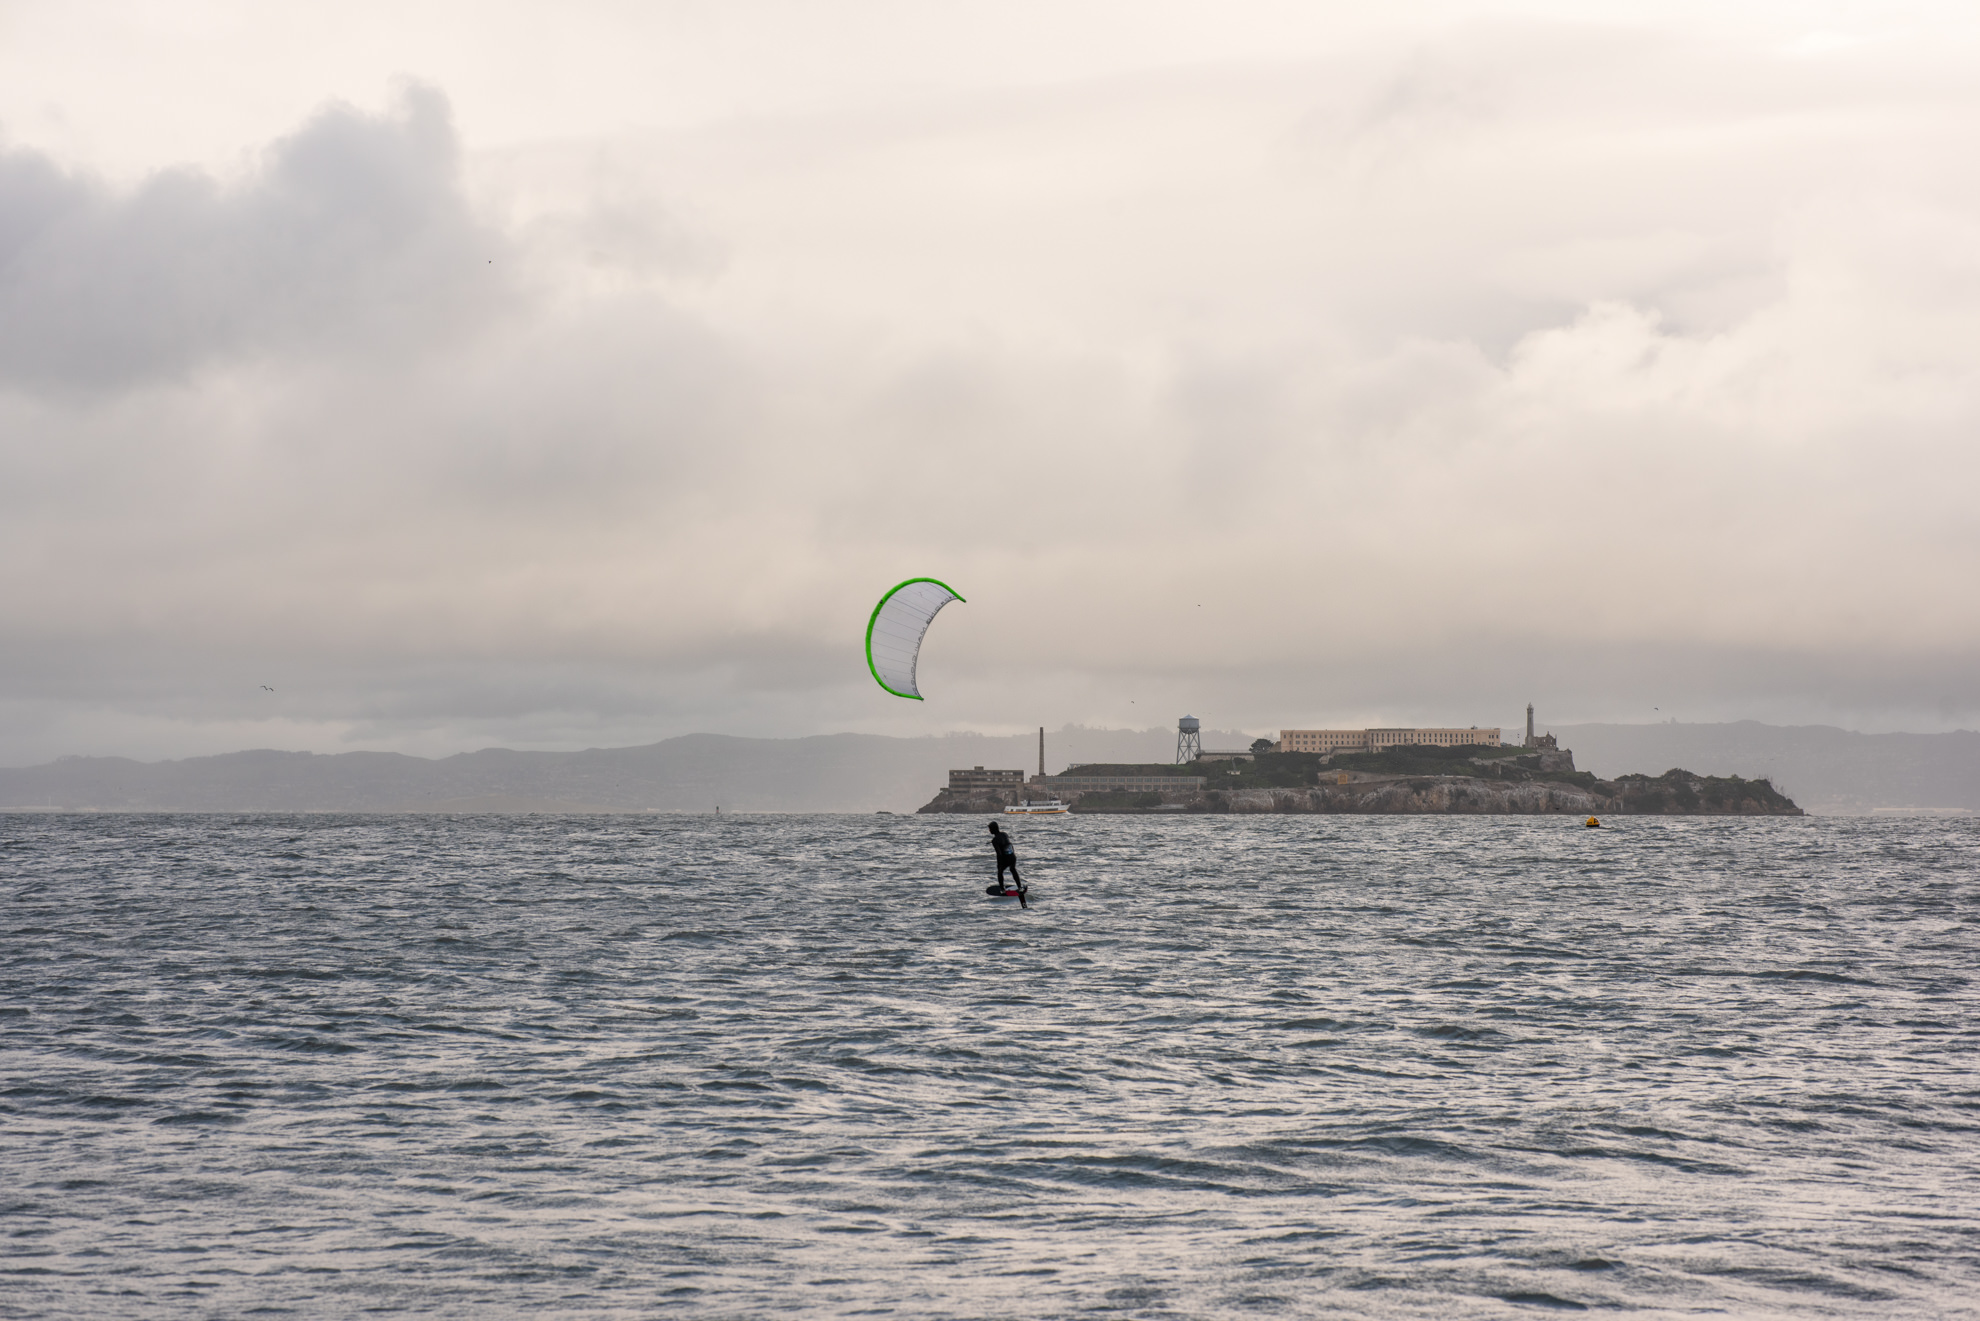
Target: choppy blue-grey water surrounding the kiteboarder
[{"x": 763, "y": 1067}]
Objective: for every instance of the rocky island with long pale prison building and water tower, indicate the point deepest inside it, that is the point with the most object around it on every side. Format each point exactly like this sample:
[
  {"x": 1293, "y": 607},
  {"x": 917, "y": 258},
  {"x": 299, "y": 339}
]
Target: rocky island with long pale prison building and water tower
[{"x": 1482, "y": 781}]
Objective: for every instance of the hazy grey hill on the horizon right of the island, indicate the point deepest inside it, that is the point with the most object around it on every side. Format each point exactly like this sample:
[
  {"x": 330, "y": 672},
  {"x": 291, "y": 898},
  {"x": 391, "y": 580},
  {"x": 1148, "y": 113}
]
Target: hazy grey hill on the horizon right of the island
[{"x": 1825, "y": 769}]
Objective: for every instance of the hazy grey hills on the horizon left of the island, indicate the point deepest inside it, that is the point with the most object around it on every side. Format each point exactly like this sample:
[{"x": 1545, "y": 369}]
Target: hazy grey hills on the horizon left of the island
[{"x": 694, "y": 773}]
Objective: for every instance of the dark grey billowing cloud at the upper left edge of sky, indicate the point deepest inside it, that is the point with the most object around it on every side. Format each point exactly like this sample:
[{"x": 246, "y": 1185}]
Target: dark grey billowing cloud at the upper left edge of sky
[{"x": 347, "y": 235}]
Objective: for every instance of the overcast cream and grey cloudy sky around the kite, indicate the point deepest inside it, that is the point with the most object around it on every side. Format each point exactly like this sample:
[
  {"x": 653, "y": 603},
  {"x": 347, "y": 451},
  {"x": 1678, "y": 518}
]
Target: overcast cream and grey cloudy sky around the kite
[{"x": 581, "y": 375}]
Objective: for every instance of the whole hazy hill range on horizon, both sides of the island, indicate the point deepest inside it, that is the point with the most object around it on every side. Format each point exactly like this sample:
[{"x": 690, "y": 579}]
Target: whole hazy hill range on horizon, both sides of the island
[{"x": 1821, "y": 767}]
